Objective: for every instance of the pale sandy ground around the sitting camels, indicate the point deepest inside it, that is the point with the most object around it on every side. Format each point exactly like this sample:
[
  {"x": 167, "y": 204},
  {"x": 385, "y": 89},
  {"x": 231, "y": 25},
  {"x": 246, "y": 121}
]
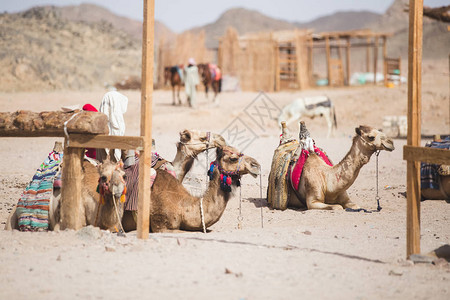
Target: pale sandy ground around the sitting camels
[{"x": 297, "y": 254}]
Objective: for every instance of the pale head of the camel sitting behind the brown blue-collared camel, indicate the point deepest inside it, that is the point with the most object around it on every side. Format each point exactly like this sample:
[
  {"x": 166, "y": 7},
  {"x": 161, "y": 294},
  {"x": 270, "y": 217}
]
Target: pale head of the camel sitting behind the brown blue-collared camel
[{"x": 194, "y": 142}]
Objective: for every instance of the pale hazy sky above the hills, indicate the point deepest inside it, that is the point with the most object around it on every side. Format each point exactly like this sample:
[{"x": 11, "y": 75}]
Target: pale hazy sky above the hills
[{"x": 180, "y": 15}]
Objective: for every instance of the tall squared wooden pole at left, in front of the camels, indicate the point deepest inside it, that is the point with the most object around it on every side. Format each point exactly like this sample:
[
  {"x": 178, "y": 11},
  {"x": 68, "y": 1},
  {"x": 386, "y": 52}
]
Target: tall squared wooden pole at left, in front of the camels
[{"x": 144, "y": 202}]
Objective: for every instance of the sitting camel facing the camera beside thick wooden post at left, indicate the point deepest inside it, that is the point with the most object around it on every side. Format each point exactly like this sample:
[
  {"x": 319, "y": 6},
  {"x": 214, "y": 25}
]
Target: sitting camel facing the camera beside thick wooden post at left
[{"x": 108, "y": 179}]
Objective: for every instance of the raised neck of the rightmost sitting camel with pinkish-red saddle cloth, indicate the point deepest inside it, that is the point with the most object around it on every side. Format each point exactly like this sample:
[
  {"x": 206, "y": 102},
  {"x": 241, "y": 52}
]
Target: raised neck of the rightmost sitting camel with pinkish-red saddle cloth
[{"x": 347, "y": 170}]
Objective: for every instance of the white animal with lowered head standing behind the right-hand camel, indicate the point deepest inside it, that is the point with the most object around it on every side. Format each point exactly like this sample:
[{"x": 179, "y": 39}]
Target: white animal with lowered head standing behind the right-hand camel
[{"x": 310, "y": 107}]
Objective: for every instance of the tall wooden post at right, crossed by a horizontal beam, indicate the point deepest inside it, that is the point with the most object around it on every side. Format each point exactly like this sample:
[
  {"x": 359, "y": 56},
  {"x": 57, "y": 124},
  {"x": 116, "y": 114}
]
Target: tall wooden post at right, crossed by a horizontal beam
[{"x": 414, "y": 125}]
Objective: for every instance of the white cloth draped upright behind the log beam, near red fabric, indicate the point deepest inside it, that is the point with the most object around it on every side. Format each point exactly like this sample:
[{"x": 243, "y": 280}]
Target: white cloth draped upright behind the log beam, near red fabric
[{"x": 114, "y": 105}]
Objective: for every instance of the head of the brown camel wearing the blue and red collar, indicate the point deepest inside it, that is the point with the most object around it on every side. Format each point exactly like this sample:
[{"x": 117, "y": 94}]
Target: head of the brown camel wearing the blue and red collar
[{"x": 231, "y": 161}]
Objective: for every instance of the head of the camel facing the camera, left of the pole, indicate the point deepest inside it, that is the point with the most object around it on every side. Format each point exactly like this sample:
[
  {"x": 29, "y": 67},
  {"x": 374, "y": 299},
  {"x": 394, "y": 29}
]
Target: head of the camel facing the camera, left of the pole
[{"x": 112, "y": 179}]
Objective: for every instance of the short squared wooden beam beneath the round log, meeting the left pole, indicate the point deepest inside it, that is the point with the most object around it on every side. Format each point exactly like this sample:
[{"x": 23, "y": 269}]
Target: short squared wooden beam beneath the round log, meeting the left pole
[{"x": 106, "y": 141}]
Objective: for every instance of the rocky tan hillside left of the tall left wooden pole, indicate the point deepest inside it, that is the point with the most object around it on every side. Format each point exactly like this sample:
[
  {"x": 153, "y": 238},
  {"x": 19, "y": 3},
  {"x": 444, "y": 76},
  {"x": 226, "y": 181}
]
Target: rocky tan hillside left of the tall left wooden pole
[{"x": 41, "y": 50}]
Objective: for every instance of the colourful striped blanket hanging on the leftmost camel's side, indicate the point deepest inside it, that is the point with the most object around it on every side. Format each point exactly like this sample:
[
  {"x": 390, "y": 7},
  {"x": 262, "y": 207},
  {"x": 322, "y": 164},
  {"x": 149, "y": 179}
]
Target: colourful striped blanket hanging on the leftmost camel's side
[{"x": 33, "y": 206}]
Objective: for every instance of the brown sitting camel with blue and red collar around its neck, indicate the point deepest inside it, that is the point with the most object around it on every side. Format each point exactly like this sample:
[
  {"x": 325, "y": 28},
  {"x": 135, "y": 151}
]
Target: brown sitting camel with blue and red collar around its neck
[{"x": 173, "y": 208}]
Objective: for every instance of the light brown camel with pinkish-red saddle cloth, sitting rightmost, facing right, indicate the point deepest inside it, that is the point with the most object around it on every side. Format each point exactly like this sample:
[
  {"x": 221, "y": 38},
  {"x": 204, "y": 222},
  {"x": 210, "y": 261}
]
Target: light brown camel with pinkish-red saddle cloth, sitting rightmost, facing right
[{"x": 324, "y": 187}]
